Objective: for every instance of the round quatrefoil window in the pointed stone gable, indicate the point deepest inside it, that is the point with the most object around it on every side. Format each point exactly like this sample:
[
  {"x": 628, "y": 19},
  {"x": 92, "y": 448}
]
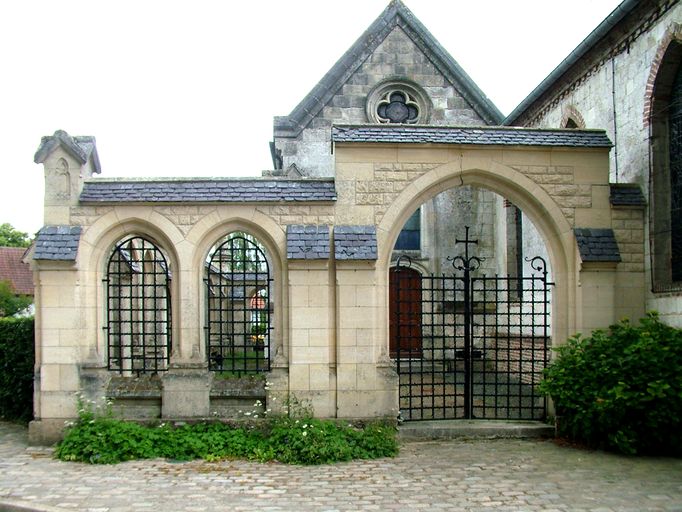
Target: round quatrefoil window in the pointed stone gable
[{"x": 398, "y": 101}]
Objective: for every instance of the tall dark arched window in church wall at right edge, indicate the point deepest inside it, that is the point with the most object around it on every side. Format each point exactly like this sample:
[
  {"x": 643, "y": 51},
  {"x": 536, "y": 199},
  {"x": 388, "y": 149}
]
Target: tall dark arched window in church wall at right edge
[{"x": 666, "y": 147}]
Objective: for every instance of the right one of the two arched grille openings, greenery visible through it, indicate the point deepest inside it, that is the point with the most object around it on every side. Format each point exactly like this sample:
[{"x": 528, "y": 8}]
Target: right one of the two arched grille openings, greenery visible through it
[{"x": 239, "y": 311}]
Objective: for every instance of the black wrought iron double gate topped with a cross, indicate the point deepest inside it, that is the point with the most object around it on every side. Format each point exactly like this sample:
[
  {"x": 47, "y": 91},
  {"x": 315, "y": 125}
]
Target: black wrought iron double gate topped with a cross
[{"x": 483, "y": 341}]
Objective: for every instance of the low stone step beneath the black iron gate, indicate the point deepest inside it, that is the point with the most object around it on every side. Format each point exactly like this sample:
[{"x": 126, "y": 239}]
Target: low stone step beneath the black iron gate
[{"x": 481, "y": 429}]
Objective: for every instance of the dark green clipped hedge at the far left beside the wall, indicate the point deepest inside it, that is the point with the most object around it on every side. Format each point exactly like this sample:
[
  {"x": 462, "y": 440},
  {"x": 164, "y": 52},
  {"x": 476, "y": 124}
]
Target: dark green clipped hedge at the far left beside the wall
[{"x": 17, "y": 356}]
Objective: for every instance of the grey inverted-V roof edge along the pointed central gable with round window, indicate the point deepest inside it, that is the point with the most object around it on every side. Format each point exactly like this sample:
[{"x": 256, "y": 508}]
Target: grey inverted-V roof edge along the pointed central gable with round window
[{"x": 396, "y": 14}]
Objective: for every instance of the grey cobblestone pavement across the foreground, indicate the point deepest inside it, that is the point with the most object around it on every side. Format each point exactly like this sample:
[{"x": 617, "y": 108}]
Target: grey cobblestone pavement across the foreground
[{"x": 502, "y": 475}]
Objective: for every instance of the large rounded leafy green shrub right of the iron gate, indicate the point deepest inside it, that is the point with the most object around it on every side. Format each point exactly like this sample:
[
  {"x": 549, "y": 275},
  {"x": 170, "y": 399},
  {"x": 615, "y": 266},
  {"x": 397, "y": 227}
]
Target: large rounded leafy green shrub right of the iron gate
[{"x": 621, "y": 388}]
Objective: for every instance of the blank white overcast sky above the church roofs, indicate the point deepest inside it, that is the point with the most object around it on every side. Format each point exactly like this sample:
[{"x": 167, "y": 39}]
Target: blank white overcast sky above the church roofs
[{"x": 189, "y": 88}]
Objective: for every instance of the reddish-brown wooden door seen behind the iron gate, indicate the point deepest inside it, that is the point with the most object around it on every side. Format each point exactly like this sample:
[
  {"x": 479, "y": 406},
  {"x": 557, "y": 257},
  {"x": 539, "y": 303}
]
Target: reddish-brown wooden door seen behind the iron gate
[{"x": 405, "y": 311}]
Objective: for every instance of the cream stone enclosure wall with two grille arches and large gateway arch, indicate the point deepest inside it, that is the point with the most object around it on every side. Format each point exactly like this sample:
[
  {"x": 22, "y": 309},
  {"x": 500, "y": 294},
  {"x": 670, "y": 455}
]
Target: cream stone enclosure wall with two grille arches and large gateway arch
[{"x": 330, "y": 327}]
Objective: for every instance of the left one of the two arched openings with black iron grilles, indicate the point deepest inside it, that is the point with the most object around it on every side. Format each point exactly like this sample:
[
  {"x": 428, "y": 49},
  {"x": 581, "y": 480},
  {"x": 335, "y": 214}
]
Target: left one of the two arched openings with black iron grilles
[{"x": 138, "y": 307}]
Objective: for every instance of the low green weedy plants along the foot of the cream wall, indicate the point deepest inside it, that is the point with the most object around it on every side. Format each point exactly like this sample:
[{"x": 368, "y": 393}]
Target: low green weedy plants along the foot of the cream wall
[{"x": 100, "y": 439}]
